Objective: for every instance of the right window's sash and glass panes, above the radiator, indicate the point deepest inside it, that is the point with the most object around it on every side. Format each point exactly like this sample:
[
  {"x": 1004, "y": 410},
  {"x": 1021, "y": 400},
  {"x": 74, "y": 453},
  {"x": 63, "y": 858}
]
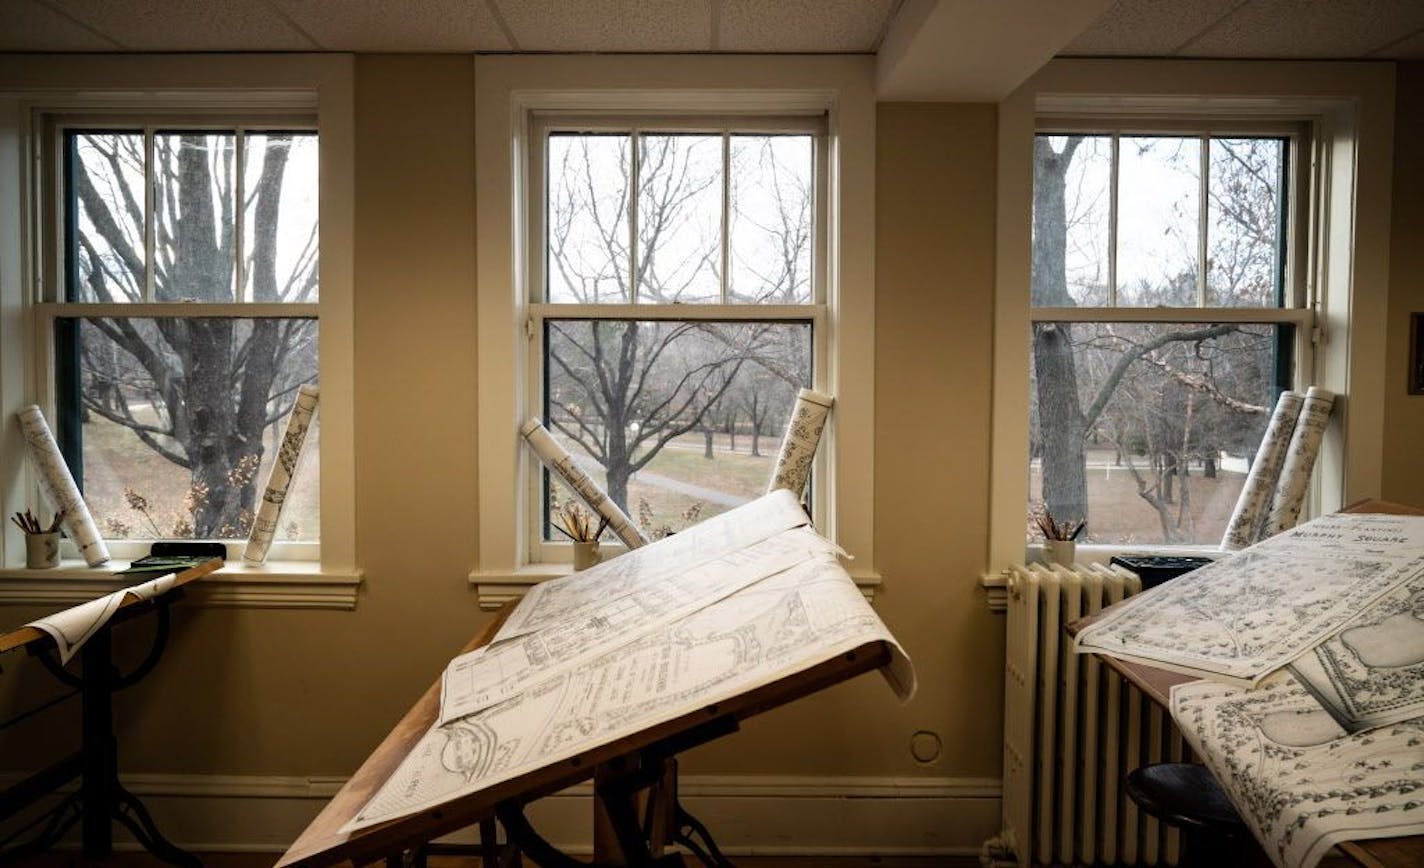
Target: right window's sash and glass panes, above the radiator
[{"x": 1150, "y": 386}]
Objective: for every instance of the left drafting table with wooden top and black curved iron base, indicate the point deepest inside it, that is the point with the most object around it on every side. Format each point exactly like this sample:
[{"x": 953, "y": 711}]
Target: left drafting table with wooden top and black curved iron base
[{"x": 100, "y": 799}]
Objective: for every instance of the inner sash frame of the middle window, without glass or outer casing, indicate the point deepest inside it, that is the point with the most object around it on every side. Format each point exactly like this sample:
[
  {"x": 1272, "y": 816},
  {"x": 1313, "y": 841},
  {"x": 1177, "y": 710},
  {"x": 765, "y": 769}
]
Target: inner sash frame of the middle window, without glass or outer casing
[{"x": 815, "y": 311}]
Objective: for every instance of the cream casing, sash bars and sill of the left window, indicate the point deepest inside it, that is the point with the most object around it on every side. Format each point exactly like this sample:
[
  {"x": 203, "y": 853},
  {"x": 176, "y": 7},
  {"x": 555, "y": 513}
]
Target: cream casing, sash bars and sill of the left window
[{"x": 36, "y": 96}]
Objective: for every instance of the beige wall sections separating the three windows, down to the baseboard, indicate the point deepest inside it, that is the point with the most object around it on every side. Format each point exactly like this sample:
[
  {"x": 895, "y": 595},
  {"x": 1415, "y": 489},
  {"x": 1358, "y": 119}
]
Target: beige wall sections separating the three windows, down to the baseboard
[{"x": 310, "y": 694}]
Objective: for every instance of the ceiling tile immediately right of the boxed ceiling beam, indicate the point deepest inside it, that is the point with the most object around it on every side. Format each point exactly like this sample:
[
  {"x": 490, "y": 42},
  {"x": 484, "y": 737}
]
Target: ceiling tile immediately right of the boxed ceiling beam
[{"x": 1147, "y": 28}]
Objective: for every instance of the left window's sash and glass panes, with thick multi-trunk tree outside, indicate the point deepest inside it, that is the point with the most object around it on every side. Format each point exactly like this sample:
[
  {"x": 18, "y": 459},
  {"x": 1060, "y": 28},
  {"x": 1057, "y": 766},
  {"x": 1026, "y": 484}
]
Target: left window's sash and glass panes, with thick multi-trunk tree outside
[{"x": 190, "y": 264}]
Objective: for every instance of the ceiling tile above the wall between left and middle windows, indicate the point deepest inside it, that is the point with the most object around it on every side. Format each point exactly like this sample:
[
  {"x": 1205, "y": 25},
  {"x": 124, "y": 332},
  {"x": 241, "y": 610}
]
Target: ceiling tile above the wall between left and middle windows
[{"x": 409, "y": 26}]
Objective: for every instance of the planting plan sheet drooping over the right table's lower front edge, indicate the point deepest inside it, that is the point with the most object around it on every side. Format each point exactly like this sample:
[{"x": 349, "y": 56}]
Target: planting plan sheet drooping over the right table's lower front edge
[{"x": 1298, "y": 779}]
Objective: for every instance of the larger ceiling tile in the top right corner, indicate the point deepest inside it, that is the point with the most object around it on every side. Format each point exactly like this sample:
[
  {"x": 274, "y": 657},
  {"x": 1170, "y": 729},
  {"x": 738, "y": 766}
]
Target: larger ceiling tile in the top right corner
[{"x": 1289, "y": 29}]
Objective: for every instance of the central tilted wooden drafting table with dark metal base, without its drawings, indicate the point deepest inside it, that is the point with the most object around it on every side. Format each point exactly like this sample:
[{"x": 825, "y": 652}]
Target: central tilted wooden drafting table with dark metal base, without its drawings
[{"x": 617, "y": 769}]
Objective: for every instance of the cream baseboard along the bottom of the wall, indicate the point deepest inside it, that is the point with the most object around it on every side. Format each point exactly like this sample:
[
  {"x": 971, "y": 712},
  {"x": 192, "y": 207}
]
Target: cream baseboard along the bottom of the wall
[{"x": 748, "y": 815}]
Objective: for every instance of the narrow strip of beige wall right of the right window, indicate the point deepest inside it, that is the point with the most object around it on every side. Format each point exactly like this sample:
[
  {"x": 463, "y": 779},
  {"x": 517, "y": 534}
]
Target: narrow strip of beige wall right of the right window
[{"x": 1405, "y": 413}]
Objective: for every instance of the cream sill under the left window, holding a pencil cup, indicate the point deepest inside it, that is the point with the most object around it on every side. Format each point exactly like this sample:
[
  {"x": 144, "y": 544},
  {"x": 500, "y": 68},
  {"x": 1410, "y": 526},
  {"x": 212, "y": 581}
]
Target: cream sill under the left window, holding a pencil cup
[{"x": 274, "y": 586}]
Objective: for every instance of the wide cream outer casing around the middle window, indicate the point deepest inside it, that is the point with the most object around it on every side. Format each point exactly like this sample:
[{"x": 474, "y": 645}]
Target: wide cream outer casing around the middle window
[{"x": 512, "y": 93}]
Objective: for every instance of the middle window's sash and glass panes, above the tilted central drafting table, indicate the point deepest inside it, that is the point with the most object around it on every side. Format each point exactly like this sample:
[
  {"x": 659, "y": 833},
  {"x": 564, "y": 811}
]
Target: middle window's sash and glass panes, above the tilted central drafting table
[{"x": 681, "y": 267}]
